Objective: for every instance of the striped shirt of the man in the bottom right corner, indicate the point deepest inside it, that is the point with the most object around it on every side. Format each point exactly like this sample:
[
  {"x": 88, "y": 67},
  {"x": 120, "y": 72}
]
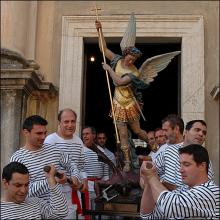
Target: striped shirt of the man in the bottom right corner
[{"x": 200, "y": 201}]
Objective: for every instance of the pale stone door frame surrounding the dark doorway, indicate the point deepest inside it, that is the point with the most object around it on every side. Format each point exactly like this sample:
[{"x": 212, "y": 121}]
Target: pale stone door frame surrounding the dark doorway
[{"x": 187, "y": 27}]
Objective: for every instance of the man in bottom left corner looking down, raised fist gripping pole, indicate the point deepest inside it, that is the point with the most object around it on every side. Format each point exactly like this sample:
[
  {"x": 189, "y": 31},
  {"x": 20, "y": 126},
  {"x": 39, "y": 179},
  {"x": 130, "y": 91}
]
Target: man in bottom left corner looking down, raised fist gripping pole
[{"x": 15, "y": 205}]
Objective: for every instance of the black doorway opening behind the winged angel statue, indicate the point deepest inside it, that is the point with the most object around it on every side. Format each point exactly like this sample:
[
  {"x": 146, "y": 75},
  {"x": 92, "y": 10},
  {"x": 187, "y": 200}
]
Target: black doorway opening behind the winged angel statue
[{"x": 160, "y": 99}]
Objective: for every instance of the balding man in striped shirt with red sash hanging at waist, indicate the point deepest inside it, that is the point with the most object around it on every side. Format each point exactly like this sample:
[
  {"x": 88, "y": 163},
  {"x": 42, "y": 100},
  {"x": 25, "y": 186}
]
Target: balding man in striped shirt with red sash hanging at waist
[{"x": 68, "y": 142}]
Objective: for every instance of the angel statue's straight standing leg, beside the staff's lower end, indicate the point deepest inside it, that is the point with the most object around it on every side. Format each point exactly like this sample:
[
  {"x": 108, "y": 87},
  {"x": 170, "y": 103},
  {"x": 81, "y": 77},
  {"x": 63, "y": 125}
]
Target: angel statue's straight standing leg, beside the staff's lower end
[{"x": 123, "y": 133}]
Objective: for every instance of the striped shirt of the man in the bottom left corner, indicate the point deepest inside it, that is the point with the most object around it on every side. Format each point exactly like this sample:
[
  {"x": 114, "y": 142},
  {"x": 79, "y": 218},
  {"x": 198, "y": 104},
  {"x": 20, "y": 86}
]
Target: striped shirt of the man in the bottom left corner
[{"x": 36, "y": 208}]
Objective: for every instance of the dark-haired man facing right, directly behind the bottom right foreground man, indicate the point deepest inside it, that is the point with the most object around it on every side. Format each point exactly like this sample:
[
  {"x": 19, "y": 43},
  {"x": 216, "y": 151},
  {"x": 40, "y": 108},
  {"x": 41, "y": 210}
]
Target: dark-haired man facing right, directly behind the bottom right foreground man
[{"x": 195, "y": 133}]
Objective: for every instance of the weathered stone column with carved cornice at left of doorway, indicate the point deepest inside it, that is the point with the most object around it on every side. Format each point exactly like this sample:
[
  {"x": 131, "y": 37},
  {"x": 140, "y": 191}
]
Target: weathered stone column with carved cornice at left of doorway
[{"x": 19, "y": 80}]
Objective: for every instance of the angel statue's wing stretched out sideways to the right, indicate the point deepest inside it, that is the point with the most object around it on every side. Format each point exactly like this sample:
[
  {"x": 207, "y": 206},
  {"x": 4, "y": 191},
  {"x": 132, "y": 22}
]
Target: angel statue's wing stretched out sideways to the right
[{"x": 152, "y": 66}]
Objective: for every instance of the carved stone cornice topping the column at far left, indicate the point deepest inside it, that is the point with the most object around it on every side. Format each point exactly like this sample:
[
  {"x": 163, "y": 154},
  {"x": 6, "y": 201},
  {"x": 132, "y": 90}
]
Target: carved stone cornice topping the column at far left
[{"x": 21, "y": 74}]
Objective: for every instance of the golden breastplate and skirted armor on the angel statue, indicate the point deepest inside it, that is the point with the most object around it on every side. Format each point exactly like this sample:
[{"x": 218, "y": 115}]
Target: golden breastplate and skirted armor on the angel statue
[{"x": 124, "y": 105}]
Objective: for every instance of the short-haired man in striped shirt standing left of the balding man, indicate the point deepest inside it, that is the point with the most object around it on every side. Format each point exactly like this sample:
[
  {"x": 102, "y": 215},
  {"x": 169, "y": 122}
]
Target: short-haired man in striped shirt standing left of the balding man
[{"x": 34, "y": 155}]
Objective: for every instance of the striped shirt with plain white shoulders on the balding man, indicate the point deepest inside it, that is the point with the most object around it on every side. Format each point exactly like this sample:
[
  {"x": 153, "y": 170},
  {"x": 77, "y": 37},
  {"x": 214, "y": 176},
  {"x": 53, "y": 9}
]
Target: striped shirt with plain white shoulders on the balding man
[{"x": 73, "y": 147}]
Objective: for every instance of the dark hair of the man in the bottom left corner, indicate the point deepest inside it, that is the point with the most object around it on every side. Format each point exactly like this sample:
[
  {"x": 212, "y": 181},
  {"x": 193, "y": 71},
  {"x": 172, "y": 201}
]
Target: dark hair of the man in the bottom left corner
[{"x": 13, "y": 167}]
